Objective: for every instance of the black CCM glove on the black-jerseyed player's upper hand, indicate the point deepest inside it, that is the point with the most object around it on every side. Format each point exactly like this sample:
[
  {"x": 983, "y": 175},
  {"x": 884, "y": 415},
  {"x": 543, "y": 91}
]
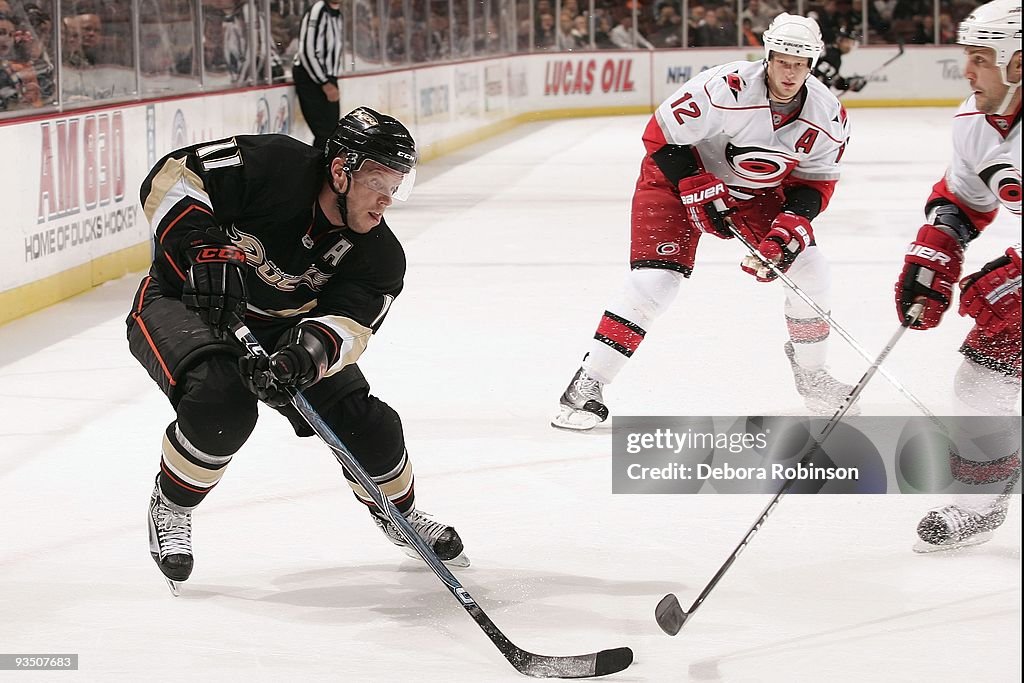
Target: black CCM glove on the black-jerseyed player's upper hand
[{"x": 216, "y": 286}]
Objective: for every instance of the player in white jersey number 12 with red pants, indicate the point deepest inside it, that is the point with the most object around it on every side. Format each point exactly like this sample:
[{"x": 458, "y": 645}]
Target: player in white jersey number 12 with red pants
[{"x": 750, "y": 146}]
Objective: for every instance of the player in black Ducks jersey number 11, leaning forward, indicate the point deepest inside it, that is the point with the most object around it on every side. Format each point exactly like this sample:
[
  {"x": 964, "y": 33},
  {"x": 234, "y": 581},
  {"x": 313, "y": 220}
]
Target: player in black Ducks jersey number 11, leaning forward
[{"x": 292, "y": 240}]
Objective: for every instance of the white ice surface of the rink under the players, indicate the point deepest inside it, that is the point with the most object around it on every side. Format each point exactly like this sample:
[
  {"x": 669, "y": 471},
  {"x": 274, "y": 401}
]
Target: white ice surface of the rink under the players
[{"x": 515, "y": 248}]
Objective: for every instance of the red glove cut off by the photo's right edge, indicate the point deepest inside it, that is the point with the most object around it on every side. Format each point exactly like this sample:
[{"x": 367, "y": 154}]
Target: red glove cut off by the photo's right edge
[{"x": 993, "y": 296}]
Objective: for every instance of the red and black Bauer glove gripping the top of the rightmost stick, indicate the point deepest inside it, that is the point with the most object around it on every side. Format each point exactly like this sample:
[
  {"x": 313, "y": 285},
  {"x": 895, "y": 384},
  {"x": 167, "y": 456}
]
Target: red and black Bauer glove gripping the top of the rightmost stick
[{"x": 932, "y": 265}]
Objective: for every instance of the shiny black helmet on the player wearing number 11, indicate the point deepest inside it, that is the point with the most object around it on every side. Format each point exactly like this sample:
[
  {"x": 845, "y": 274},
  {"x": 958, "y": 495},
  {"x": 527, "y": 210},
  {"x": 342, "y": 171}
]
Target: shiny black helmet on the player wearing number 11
[{"x": 364, "y": 134}]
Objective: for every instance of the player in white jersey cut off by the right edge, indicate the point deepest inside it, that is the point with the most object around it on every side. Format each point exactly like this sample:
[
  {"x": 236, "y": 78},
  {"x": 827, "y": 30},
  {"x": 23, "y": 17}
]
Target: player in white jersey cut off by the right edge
[{"x": 986, "y": 174}]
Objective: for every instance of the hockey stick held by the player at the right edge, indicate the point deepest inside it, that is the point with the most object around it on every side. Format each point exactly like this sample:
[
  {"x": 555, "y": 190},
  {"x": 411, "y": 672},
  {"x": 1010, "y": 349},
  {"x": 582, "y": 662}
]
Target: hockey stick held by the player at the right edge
[{"x": 669, "y": 614}]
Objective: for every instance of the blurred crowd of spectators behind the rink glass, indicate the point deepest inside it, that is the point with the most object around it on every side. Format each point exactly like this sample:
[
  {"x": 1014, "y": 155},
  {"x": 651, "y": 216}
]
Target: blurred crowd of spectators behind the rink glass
[{"x": 241, "y": 47}]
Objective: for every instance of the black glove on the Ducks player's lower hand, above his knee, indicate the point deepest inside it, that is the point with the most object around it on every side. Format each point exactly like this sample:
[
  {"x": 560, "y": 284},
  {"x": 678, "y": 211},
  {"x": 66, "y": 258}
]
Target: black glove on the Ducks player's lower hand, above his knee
[{"x": 300, "y": 362}]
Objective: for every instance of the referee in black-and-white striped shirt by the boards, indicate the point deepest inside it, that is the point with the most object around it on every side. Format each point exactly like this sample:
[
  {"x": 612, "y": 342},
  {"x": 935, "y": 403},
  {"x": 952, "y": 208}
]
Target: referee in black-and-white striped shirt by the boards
[{"x": 318, "y": 66}]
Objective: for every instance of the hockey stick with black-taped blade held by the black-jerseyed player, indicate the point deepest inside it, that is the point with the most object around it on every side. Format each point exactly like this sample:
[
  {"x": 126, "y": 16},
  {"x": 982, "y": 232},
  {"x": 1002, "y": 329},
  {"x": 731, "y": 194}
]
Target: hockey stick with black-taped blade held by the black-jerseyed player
[{"x": 540, "y": 666}]
